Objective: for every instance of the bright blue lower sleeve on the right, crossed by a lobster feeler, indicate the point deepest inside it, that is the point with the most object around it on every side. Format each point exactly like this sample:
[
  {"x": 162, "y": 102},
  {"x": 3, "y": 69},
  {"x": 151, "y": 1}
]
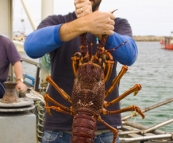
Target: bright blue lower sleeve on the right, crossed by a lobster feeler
[{"x": 125, "y": 54}]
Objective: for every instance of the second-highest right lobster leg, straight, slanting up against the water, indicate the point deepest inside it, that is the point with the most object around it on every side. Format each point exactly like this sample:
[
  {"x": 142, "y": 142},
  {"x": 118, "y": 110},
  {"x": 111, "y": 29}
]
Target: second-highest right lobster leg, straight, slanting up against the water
[{"x": 134, "y": 89}]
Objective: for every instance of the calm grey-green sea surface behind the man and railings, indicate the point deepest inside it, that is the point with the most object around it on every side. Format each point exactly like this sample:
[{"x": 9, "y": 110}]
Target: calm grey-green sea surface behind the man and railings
[{"x": 154, "y": 71}]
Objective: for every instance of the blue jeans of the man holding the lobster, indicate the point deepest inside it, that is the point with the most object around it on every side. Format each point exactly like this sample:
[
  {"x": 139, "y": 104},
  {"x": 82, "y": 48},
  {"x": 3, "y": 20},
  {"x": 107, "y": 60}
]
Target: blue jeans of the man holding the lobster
[{"x": 63, "y": 137}]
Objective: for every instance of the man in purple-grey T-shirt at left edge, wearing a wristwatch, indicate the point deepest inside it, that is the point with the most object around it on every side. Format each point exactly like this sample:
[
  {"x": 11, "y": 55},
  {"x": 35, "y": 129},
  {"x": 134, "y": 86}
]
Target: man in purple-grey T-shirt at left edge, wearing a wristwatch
[{"x": 9, "y": 54}]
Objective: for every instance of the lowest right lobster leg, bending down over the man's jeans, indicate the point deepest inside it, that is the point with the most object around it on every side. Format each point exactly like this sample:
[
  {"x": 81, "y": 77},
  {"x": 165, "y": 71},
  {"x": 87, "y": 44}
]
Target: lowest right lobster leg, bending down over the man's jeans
[{"x": 114, "y": 130}]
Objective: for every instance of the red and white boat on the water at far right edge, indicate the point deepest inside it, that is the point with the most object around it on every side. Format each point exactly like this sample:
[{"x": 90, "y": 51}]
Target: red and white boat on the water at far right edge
[{"x": 167, "y": 42}]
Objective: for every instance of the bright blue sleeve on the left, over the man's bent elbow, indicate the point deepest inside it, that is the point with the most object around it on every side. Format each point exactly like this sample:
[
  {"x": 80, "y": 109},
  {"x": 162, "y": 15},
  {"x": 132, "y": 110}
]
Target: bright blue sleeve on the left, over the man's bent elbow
[{"x": 43, "y": 41}]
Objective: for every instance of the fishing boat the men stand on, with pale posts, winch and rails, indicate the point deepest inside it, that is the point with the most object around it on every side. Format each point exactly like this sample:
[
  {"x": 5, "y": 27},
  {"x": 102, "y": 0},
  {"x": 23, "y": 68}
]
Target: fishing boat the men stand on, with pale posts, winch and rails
[{"x": 26, "y": 122}]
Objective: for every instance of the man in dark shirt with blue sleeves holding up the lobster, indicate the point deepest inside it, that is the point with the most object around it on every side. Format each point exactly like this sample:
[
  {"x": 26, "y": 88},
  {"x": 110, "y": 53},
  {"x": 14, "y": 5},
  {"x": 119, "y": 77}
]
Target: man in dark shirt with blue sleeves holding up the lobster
[{"x": 59, "y": 36}]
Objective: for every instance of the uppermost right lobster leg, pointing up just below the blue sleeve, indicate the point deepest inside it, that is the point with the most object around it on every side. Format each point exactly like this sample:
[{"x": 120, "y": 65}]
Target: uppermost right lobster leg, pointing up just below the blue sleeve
[{"x": 116, "y": 80}]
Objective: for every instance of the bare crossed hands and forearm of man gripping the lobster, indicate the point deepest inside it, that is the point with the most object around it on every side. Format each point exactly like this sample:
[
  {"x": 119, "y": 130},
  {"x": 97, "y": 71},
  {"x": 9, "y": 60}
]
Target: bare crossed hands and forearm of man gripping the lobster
[{"x": 97, "y": 23}]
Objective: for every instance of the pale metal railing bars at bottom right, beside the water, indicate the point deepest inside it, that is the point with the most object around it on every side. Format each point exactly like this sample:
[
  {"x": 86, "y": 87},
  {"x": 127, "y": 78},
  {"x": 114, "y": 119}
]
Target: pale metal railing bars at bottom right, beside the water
[{"x": 143, "y": 133}]
